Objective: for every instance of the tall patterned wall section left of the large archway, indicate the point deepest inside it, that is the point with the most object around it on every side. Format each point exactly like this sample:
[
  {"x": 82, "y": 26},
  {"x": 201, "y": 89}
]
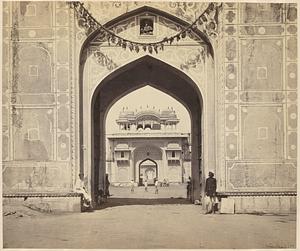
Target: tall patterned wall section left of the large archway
[{"x": 37, "y": 128}]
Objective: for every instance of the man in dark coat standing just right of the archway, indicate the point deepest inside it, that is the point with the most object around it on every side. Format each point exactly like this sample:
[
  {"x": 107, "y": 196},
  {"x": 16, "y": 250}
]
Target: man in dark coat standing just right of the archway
[{"x": 210, "y": 191}]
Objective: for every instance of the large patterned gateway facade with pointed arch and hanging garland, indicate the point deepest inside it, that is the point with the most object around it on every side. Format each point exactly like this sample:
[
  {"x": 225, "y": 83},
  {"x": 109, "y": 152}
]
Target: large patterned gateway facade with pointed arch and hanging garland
[{"x": 232, "y": 65}]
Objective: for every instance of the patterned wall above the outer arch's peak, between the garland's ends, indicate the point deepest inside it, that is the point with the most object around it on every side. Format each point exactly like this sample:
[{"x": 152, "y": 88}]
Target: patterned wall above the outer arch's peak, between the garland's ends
[{"x": 187, "y": 11}]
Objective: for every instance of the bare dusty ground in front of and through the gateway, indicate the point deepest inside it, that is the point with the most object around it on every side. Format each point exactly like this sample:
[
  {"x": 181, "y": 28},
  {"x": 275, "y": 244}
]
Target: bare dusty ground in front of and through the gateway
[{"x": 146, "y": 220}]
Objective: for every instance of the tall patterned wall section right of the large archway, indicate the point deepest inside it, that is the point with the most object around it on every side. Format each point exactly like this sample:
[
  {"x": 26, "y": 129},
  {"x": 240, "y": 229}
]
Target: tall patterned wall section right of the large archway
[{"x": 260, "y": 85}]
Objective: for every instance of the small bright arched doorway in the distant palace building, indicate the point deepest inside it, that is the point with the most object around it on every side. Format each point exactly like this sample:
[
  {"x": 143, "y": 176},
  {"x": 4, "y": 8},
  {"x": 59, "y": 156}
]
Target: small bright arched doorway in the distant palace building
[{"x": 148, "y": 171}]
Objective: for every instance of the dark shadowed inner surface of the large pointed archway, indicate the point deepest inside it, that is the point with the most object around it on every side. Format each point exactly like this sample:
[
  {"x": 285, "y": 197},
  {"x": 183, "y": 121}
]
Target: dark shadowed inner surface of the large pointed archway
[{"x": 153, "y": 72}]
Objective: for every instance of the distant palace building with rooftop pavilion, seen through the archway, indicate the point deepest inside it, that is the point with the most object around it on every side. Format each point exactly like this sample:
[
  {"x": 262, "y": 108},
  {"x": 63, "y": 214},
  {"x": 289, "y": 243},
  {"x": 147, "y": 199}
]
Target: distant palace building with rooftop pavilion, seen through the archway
[{"x": 147, "y": 147}]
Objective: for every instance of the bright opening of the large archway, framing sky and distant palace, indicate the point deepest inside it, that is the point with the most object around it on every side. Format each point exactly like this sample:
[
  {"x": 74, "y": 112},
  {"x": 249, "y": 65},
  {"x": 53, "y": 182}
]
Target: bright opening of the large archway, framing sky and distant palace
[{"x": 167, "y": 130}]
